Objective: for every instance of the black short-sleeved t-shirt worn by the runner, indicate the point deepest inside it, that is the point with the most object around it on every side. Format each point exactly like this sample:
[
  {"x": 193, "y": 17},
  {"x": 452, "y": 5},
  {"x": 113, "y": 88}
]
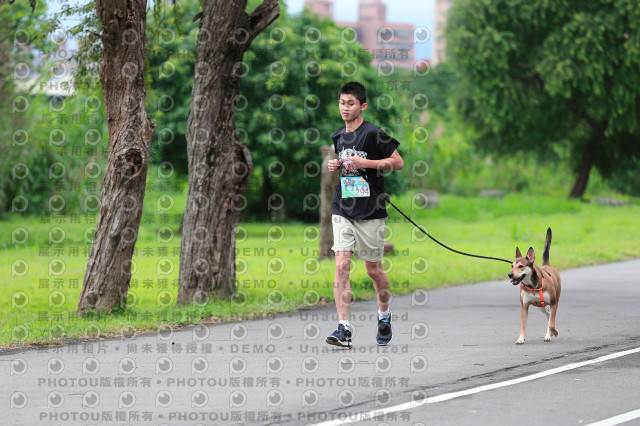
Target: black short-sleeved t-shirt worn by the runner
[{"x": 370, "y": 142}]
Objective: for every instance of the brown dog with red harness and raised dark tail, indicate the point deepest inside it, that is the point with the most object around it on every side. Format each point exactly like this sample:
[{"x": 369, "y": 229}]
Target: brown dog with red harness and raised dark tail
[{"x": 539, "y": 286}]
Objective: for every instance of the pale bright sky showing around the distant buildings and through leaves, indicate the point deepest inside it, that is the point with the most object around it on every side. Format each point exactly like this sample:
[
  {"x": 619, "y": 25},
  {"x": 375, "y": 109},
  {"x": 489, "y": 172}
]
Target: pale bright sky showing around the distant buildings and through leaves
[{"x": 420, "y": 13}]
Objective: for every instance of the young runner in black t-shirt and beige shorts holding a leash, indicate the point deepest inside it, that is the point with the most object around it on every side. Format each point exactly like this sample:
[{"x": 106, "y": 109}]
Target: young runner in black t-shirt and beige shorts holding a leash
[{"x": 359, "y": 213}]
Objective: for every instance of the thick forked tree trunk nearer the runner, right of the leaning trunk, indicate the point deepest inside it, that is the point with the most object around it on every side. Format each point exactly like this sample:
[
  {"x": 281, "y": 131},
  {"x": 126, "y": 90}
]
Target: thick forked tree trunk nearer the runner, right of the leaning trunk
[{"x": 219, "y": 165}]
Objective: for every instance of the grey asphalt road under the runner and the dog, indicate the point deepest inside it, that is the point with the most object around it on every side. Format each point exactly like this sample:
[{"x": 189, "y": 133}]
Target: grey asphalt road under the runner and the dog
[{"x": 280, "y": 371}]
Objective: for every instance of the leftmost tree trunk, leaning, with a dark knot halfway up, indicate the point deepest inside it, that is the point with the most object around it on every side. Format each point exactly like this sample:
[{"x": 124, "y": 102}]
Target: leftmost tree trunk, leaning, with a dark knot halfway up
[{"x": 108, "y": 271}]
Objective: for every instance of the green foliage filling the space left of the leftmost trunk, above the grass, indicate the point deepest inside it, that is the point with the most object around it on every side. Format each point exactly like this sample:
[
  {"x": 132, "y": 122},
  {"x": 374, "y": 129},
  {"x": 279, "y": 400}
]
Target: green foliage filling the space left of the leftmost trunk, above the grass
[{"x": 55, "y": 146}]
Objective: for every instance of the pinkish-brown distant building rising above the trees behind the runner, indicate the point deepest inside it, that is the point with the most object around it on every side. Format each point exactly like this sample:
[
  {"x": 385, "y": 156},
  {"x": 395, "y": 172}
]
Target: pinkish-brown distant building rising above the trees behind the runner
[{"x": 385, "y": 40}]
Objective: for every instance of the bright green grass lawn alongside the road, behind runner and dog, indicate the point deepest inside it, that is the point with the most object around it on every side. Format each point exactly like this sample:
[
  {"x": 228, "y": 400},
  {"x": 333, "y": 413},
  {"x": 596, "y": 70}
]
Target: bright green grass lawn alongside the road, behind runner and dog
[{"x": 277, "y": 266}]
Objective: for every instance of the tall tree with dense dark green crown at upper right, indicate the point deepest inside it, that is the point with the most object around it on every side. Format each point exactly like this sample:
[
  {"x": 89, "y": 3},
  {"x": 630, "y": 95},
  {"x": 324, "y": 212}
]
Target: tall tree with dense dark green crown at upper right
[{"x": 539, "y": 76}]
